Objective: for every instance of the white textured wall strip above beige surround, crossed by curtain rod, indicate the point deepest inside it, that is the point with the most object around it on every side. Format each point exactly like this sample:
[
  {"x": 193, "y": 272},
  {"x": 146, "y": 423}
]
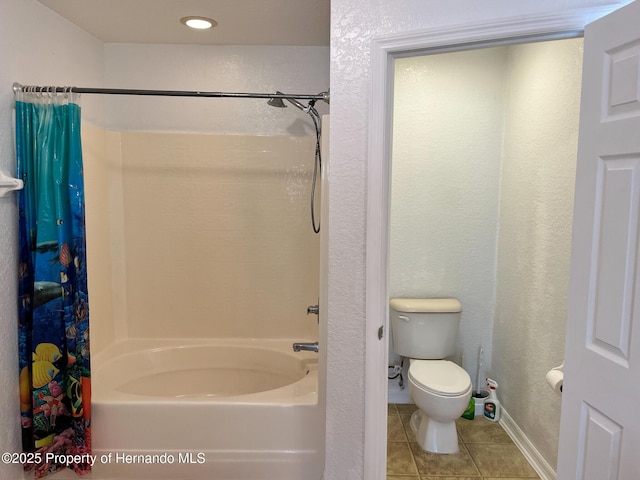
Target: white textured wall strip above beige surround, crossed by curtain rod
[{"x": 303, "y": 70}]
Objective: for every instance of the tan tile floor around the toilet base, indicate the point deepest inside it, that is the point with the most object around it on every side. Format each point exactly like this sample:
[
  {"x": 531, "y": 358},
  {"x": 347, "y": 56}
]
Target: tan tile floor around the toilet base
[{"x": 486, "y": 452}]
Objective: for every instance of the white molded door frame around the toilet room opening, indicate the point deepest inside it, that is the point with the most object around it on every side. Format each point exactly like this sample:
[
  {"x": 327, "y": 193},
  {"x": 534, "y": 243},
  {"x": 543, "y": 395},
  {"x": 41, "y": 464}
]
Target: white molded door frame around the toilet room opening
[{"x": 384, "y": 50}]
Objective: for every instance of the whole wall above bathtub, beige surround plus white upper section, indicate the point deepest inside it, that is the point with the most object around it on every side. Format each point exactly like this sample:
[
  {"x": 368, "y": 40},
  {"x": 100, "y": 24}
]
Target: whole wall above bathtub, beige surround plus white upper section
[{"x": 191, "y": 214}]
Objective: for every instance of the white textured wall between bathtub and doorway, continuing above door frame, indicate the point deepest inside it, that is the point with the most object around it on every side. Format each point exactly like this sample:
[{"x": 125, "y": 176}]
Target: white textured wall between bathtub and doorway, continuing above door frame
[{"x": 354, "y": 25}]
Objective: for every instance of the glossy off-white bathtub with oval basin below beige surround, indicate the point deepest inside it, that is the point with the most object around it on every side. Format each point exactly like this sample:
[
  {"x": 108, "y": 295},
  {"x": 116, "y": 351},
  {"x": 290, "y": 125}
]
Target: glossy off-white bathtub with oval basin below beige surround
[{"x": 215, "y": 409}]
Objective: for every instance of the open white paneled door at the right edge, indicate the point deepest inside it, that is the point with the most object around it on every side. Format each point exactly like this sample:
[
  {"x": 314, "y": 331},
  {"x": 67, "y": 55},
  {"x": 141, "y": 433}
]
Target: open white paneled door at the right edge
[{"x": 600, "y": 426}]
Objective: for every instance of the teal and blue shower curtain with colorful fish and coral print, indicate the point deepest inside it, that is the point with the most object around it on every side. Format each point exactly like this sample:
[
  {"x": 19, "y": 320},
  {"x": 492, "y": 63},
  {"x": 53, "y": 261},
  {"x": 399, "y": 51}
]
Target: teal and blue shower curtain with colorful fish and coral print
[{"x": 53, "y": 308}]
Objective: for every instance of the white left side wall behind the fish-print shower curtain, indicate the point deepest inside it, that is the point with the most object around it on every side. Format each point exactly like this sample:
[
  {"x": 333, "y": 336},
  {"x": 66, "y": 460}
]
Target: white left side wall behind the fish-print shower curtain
[{"x": 36, "y": 47}]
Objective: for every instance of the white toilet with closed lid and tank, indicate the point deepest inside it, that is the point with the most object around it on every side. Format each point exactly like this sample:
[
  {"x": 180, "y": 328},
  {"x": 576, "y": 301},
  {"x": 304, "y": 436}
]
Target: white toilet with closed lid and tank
[{"x": 426, "y": 331}]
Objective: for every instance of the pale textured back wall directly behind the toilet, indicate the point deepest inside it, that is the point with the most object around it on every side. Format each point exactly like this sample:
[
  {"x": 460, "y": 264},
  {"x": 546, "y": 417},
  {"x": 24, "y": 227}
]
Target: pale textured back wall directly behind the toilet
[{"x": 447, "y": 143}]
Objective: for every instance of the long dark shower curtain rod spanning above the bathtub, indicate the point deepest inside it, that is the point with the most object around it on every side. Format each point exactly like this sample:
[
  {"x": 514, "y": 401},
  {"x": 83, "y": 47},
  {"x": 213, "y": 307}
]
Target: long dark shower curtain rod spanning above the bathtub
[{"x": 18, "y": 88}]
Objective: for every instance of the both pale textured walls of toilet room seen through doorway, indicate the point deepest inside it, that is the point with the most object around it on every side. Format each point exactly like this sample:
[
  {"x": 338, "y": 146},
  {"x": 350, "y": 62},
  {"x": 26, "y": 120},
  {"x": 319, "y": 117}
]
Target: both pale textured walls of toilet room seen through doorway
[{"x": 483, "y": 165}]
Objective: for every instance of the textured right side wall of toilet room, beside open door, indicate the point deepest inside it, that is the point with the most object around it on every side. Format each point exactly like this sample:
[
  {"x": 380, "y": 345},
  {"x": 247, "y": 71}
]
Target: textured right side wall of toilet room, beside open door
[{"x": 535, "y": 233}]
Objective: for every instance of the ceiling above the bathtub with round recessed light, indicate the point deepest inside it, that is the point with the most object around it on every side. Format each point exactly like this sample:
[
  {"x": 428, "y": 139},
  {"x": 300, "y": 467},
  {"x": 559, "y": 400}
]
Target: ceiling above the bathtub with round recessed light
[{"x": 240, "y": 22}]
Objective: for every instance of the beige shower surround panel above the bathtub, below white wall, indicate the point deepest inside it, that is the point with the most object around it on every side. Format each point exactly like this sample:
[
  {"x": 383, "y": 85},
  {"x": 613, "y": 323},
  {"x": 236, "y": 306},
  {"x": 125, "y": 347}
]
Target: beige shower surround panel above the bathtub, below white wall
[{"x": 214, "y": 239}]
